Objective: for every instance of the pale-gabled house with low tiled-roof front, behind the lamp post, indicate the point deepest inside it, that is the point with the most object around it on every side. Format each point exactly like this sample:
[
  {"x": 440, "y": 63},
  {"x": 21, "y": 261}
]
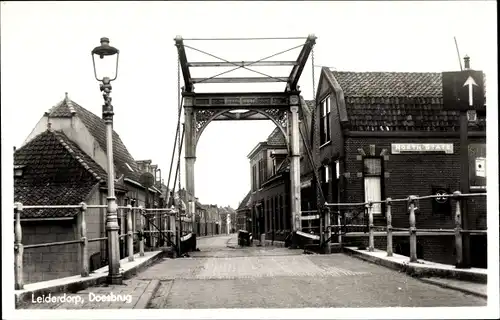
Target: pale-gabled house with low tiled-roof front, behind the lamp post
[{"x": 62, "y": 162}]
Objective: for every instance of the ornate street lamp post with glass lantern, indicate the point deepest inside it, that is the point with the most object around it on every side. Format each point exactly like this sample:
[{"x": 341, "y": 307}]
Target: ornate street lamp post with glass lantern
[{"x": 105, "y": 71}]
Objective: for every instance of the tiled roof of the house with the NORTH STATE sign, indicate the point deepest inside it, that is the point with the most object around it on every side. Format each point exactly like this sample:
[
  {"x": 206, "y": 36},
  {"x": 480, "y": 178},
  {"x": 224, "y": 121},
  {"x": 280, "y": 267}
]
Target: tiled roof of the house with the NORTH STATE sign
[{"x": 397, "y": 101}]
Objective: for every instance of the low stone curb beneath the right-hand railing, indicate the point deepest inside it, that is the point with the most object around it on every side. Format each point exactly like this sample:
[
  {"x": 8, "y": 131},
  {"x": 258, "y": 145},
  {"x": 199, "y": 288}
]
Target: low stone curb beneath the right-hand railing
[{"x": 419, "y": 272}]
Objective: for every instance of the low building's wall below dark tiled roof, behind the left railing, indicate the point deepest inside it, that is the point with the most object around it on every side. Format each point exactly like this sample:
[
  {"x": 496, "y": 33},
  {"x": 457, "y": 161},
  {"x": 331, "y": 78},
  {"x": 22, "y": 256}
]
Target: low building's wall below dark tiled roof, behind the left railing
[{"x": 47, "y": 263}]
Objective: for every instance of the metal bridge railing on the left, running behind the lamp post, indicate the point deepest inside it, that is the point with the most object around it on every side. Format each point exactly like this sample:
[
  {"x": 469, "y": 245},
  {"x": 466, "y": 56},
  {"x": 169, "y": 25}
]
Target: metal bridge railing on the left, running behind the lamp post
[{"x": 127, "y": 214}]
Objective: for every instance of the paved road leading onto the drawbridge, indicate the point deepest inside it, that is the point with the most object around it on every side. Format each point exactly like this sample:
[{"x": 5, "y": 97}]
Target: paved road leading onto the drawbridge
[{"x": 257, "y": 277}]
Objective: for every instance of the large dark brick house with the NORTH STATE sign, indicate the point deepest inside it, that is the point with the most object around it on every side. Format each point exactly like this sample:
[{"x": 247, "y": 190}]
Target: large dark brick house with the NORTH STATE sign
[{"x": 385, "y": 134}]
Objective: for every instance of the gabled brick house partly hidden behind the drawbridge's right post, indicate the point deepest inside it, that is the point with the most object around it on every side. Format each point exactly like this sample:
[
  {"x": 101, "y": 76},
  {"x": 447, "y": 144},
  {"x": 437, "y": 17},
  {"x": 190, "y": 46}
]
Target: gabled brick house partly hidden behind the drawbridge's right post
[{"x": 270, "y": 181}]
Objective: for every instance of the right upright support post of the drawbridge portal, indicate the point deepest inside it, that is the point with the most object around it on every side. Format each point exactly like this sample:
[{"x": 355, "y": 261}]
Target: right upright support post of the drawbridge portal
[{"x": 293, "y": 123}]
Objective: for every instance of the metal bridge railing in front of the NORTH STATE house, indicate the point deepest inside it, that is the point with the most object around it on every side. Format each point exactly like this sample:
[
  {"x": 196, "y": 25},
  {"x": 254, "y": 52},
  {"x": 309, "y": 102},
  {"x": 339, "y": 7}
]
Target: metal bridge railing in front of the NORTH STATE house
[{"x": 412, "y": 230}]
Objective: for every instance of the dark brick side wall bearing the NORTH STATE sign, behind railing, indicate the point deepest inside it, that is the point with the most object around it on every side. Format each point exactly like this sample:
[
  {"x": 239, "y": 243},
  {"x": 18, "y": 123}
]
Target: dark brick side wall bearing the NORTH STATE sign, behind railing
[{"x": 415, "y": 174}]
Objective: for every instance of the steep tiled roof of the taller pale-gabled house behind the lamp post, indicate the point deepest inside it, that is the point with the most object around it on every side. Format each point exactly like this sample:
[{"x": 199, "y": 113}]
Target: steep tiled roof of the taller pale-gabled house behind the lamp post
[{"x": 97, "y": 129}]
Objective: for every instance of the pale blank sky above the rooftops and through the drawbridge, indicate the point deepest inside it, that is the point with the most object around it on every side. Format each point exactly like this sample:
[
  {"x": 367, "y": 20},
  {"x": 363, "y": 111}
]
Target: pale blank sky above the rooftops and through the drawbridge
[{"x": 46, "y": 48}]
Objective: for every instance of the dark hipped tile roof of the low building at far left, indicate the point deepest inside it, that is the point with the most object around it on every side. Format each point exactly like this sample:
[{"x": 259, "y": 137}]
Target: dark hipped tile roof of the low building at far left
[{"x": 55, "y": 172}]
